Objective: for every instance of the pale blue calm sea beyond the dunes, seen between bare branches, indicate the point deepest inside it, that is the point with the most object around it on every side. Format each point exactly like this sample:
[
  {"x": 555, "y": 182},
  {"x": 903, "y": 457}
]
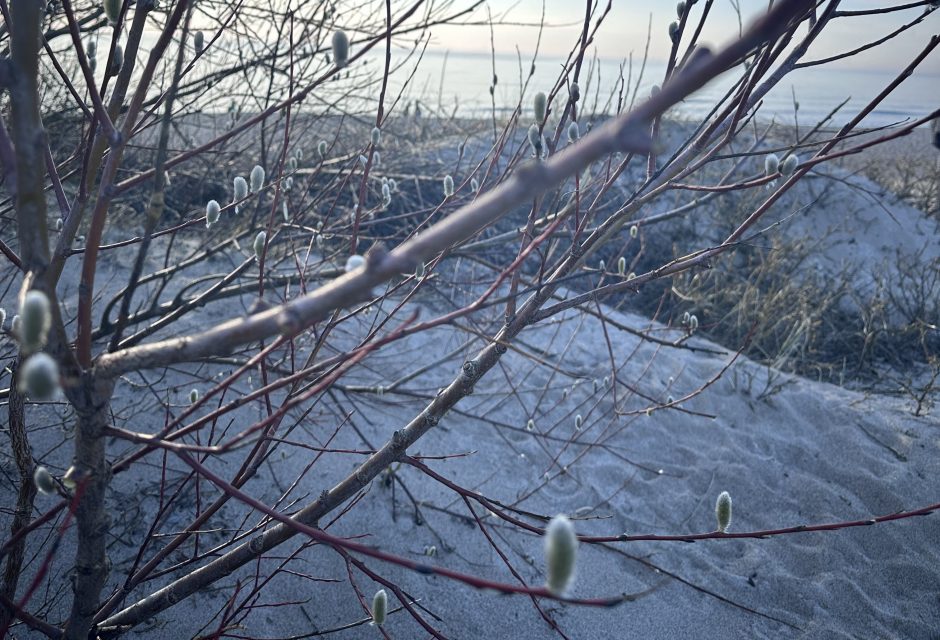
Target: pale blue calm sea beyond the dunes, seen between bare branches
[{"x": 458, "y": 84}]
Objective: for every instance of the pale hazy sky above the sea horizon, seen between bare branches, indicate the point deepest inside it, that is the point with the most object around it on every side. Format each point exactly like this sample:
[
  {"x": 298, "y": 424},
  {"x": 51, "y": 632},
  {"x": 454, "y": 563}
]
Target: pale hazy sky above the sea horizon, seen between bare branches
[{"x": 625, "y": 30}]
